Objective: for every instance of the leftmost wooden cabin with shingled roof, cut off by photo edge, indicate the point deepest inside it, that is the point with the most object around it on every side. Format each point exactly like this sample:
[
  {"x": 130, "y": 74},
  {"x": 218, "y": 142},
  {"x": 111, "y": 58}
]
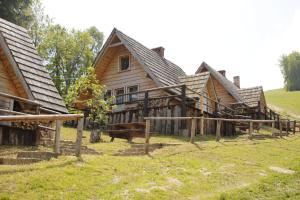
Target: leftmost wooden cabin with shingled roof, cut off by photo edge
[{"x": 25, "y": 86}]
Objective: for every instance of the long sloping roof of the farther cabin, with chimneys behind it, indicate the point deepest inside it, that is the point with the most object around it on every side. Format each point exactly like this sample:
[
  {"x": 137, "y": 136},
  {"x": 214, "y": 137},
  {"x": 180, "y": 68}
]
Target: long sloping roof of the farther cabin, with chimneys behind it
[{"x": 231, "y": 88}]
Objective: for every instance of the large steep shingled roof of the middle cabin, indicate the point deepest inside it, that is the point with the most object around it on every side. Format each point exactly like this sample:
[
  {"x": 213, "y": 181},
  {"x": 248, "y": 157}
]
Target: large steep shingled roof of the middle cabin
[{"x": 161, "y": 70}]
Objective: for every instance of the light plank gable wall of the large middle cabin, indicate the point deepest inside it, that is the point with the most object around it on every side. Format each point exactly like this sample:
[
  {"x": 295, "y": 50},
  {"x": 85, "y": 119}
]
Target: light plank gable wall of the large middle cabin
[{"x": 113, "y": 79}]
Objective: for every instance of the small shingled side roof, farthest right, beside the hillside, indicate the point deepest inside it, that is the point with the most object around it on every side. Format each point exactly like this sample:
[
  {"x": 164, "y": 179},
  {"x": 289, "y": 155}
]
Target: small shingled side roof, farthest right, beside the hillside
[{"x": 251, "y": 96}]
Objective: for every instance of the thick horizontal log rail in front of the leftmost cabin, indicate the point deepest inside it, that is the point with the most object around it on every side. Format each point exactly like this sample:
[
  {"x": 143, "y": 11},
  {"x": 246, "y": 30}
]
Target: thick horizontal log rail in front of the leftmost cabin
[{"x": 22, "y": 118}]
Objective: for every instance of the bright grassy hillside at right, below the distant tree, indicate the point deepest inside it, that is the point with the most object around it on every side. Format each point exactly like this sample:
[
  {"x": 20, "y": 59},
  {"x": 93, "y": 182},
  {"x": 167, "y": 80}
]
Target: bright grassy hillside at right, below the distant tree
[{"x": 284, "y": 102}]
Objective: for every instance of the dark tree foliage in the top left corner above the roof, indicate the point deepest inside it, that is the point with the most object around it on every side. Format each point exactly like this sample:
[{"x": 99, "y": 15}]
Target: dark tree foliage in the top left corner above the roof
[{"x": 17, "y": 11}]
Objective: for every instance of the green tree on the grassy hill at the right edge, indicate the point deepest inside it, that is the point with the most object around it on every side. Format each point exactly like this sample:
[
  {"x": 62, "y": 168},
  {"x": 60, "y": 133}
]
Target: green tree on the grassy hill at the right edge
[{"x": 290, "y": 68}]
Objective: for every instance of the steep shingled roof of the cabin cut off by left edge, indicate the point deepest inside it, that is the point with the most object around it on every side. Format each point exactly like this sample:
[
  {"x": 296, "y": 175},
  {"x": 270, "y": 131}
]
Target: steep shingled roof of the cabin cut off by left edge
[{"x": 19, "y": 48}]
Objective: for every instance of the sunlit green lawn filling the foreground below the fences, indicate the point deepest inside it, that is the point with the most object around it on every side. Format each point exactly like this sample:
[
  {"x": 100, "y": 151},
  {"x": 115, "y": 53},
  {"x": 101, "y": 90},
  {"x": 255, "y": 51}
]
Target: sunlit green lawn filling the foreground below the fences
[{"x": 235, "y": 168}]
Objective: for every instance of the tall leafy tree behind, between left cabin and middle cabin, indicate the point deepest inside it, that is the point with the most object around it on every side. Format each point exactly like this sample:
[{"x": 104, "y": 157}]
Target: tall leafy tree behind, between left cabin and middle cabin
[{"x": 67, "y": 53}]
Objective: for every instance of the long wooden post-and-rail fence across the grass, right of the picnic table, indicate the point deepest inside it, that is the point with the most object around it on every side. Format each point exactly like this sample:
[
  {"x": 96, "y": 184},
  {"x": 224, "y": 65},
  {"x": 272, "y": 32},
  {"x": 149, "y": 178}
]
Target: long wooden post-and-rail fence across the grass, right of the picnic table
[{"x": 218, "y": 126}]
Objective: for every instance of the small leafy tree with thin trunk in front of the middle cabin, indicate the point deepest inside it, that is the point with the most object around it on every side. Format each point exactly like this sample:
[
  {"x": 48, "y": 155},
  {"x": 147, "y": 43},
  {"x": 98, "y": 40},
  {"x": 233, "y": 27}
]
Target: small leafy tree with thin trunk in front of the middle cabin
[{"x": 87, "y": 92}]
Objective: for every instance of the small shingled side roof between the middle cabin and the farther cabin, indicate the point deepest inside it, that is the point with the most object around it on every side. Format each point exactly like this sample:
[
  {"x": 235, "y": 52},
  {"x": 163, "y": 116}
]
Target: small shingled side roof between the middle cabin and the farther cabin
[{"x": 196, "y": 82}]
